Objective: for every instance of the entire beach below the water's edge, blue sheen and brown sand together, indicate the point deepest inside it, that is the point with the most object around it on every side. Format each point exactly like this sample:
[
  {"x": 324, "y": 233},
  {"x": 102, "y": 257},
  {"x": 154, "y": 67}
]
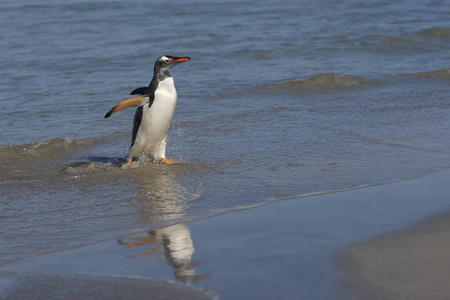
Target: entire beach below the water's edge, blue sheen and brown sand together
[{"x": 345, "y": 245}]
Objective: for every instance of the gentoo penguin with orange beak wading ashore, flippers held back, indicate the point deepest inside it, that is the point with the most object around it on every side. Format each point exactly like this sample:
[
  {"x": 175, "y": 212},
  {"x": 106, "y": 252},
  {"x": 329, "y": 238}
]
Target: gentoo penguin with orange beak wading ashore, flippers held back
[{"x": 154, "y": 113}]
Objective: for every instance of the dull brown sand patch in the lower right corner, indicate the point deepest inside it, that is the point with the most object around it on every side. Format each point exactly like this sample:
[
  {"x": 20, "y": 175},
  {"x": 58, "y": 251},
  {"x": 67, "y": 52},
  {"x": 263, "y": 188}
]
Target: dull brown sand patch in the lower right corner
[{"x": 409, "y": 264}]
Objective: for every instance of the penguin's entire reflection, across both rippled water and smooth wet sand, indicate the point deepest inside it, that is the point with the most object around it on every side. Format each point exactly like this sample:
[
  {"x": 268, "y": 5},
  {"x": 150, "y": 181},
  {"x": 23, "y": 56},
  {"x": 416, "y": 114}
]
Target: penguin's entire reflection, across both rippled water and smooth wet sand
[{"x": 162, "y": 198}]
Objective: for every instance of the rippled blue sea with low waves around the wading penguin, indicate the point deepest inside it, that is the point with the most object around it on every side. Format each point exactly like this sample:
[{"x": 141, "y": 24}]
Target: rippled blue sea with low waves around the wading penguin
[{"x": 280, "y": 99}]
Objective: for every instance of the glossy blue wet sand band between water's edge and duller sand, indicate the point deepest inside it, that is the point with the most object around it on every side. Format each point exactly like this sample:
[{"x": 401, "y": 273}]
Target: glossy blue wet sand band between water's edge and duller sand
[{"x": 280, "y": 249}]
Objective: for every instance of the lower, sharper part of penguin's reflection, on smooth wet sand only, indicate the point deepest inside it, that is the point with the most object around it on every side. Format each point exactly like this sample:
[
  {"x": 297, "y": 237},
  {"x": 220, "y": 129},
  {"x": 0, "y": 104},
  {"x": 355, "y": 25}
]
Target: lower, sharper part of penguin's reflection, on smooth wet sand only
[{"x": 178, "y": 248}]
